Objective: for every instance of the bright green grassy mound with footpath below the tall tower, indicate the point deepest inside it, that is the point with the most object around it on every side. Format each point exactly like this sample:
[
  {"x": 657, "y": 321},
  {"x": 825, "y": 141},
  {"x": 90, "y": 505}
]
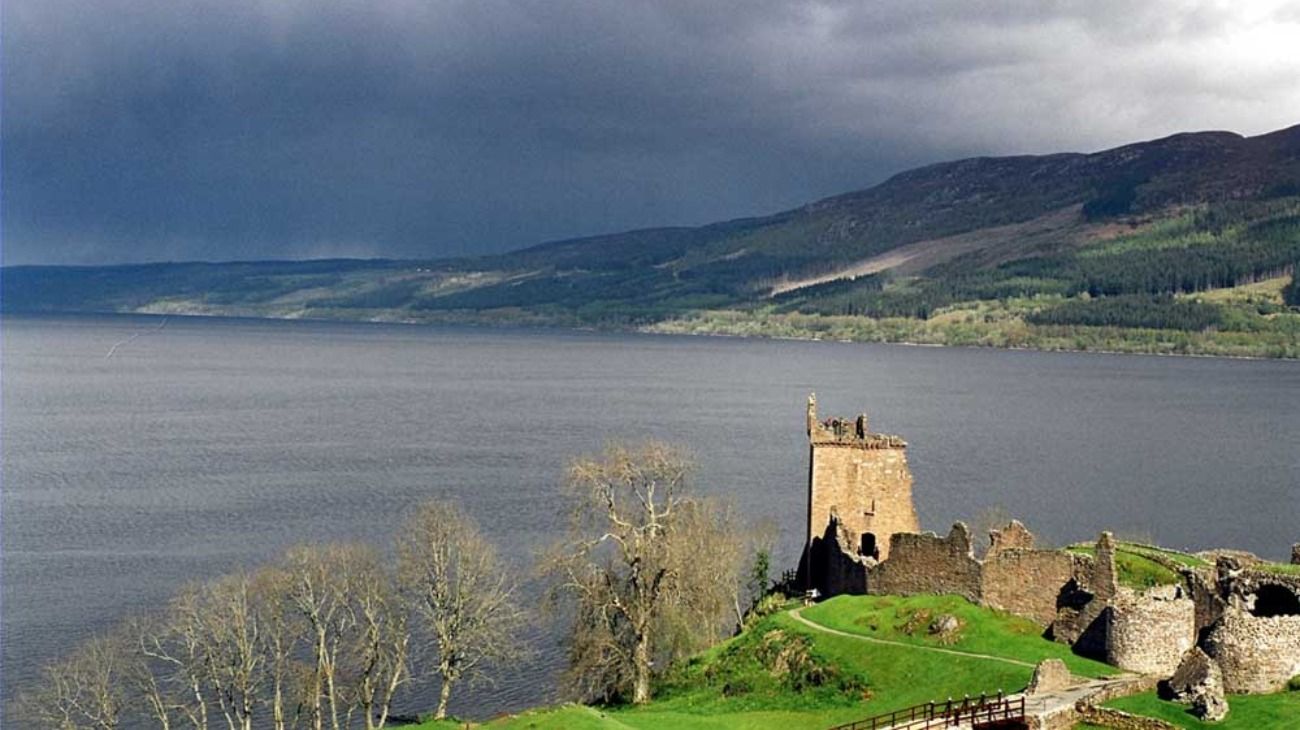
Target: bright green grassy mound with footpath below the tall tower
[{"x": 785, "y": 675}]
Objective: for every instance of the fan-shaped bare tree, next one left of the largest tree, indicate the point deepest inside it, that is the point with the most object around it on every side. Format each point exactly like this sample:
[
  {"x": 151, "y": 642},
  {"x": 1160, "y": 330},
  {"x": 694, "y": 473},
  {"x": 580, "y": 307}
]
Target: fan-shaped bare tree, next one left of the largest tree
[{"x": 463, "y": 594}]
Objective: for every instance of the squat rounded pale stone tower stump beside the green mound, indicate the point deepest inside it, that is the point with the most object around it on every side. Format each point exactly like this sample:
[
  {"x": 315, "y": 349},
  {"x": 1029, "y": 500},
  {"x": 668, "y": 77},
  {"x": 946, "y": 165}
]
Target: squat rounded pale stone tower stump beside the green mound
[{"x": 1150, "y": 632}]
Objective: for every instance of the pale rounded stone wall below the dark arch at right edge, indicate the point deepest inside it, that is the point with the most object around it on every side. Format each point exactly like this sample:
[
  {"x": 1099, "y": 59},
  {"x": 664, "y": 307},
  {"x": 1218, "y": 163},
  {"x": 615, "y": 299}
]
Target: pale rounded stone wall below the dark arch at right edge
[{"x": 1256, "y": 654}]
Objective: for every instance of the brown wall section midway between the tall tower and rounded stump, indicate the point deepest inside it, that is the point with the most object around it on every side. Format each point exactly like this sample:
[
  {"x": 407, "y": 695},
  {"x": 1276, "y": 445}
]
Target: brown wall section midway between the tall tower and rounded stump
[{"x": 1028, "y": 583}]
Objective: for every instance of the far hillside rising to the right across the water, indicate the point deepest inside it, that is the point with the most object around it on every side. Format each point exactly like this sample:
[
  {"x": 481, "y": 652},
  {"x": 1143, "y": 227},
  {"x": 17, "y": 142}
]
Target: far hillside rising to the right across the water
[{"x": 1181, "y": 245}]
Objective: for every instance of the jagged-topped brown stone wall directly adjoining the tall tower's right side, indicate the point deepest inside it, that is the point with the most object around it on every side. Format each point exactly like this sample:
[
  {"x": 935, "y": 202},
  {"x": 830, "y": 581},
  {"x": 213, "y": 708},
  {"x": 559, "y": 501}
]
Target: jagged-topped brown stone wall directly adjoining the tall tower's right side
[{"x": 929, "y": 564}]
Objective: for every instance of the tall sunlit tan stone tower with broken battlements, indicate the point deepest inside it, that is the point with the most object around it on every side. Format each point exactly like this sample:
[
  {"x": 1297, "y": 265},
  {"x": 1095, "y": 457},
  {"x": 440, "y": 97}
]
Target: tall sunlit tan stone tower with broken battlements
[{"x": 860, "y": 477}]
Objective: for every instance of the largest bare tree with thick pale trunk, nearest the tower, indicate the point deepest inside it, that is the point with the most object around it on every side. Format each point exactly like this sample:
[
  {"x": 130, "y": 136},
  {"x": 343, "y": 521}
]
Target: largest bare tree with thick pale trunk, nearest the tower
[{"x": 642, "y": 562}]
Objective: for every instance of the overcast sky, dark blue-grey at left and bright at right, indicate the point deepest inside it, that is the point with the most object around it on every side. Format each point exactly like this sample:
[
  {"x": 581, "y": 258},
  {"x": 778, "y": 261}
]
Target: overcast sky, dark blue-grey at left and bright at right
[{"x": 142, "y": 131}]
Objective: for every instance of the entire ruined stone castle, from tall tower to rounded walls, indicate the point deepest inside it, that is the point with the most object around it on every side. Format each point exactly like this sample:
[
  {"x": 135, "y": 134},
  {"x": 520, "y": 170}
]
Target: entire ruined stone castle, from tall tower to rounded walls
[{"x": 1232, "y": 625}]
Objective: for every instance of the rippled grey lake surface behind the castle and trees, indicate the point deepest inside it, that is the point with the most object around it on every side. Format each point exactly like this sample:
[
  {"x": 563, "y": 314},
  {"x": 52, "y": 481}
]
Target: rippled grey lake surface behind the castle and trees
[{"x": 144, "y": 453}]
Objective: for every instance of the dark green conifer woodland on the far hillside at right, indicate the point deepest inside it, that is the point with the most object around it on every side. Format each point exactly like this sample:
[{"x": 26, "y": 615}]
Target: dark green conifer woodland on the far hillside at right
[{"x": 1128, "y": 283}]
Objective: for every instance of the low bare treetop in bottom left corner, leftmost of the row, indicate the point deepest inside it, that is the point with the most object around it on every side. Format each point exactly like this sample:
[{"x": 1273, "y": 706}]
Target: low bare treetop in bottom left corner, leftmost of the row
[{"x": 80, "y": 692}]
